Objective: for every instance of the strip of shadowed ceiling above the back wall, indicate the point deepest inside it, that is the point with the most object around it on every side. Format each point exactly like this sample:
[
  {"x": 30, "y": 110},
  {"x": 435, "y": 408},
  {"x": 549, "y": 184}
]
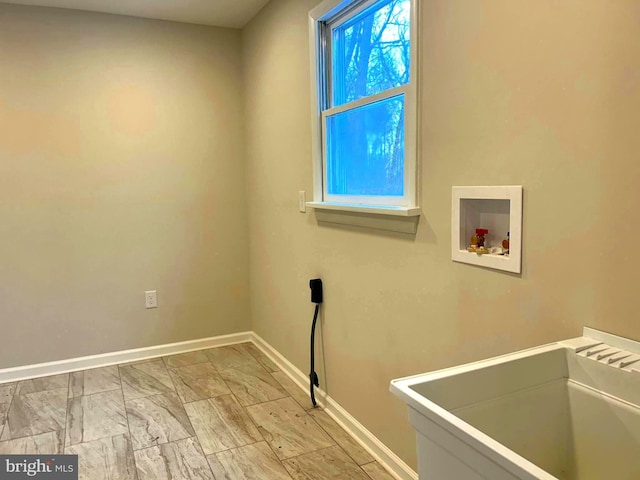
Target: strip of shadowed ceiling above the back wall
[{"x": 220, "y": 13}]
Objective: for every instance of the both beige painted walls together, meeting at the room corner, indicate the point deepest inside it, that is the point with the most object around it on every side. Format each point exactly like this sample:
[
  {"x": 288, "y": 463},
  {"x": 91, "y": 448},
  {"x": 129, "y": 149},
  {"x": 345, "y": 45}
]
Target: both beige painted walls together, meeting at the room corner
[{"x": 122, "y": 168}]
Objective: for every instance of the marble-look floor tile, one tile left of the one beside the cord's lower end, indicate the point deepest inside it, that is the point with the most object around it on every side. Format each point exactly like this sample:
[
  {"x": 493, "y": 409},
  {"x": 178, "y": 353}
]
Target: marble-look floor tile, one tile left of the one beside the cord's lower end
[{"x": 252, "y": 384}]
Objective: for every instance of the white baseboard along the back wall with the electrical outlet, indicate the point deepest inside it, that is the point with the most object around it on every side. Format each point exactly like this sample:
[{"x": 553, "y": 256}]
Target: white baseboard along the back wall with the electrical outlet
[{"x": 113, "y": 358}]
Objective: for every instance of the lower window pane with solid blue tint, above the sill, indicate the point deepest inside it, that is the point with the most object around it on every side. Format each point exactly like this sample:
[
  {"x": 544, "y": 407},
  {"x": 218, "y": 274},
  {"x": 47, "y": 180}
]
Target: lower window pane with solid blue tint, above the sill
[{"x": 365, "y": 154}]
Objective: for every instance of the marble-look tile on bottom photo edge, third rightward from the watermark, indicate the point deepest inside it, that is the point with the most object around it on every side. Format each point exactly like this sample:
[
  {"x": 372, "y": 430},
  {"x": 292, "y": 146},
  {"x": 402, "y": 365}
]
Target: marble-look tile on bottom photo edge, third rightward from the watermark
[{"x": 251, "y": 462}]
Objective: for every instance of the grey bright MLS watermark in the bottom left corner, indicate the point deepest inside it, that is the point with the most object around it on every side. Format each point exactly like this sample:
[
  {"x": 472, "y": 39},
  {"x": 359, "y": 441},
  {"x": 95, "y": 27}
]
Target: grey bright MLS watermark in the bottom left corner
[{"x": 50, "y": 467}]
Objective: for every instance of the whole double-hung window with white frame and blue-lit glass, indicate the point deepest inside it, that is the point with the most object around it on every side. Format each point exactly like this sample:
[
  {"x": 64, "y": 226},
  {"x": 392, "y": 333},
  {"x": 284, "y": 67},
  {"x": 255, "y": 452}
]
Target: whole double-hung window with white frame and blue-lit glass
[{"x": 363, "y": 70}]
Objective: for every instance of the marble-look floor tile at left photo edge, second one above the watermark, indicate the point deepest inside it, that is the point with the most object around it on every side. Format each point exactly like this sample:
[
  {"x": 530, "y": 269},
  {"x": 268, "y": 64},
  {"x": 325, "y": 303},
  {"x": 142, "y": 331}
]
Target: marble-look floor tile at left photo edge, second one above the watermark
[{"x": 36, "y": 413}]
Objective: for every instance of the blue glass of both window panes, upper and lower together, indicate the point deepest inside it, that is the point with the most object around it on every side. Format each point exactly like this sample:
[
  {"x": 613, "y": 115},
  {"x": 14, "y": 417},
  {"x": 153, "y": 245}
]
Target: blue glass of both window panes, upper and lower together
[{"x": 365, "y": 145}]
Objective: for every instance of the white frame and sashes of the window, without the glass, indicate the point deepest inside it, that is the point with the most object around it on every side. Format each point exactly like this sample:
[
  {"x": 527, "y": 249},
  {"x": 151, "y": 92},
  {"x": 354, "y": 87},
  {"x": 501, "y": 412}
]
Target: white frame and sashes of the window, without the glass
[{"x": 327, "y": 15}]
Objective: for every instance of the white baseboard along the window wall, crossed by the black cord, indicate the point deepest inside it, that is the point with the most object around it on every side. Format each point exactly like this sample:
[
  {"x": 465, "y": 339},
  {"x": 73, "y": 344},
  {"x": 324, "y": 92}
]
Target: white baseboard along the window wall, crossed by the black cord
[{"x": 389, "y": 460}]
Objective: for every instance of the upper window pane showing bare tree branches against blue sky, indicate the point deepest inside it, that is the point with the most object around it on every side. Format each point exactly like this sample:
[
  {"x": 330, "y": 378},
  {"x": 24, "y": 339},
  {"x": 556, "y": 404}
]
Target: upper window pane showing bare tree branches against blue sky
[{"x": 370, "y": 52}]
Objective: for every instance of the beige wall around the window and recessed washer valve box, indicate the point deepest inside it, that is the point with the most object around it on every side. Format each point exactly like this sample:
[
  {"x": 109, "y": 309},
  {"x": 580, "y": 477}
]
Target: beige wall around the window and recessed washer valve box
[{"x": 544, "y": 94}]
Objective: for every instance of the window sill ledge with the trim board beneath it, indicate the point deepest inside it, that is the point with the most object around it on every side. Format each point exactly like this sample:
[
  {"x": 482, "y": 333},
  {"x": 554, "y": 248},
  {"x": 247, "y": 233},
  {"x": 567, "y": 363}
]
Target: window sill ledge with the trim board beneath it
[{"x": 390, "y": 219}]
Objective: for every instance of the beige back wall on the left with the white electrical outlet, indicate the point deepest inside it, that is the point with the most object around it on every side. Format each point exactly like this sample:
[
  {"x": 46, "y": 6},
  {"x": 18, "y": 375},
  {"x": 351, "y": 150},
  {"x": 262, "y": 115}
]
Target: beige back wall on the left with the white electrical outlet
[{"x": 121, "y": 170}]
